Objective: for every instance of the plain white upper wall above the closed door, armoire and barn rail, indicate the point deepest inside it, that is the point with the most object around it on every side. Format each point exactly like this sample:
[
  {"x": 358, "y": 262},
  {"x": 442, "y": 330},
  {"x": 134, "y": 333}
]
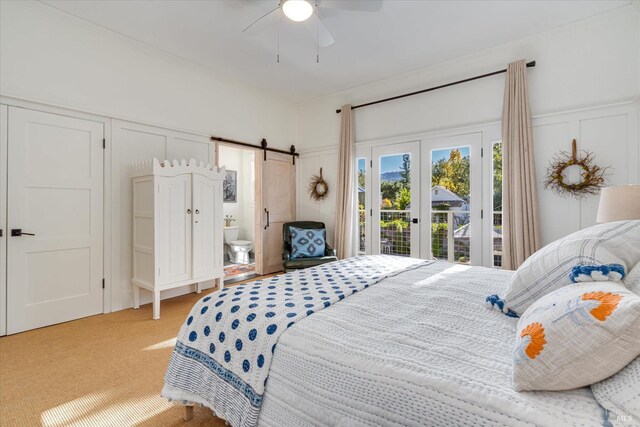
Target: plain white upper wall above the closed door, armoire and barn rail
[{"x": 53, "y": 58}]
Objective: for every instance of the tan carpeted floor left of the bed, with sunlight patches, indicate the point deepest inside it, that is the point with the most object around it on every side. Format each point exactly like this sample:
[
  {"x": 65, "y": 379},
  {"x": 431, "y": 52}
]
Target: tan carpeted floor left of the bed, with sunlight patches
[{"x": 104, "y": 370}]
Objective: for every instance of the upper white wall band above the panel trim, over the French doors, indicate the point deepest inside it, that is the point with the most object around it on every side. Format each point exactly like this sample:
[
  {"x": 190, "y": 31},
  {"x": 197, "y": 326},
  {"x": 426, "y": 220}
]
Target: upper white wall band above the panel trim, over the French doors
[{"x": 589, "y": 63}]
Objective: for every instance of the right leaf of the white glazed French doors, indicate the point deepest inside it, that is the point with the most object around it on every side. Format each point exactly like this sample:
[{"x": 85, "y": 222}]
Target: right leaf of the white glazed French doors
[{"x": 452, "y": 198}]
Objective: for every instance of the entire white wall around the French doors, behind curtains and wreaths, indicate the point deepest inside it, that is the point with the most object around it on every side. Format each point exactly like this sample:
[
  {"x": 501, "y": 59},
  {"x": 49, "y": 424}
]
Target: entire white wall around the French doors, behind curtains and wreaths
[{"x": 593, "y": 63}]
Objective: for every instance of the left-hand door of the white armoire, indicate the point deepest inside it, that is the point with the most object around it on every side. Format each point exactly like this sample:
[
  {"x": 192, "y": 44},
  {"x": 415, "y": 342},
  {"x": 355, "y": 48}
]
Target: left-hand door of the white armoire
[{"x": 173, "y": 229}]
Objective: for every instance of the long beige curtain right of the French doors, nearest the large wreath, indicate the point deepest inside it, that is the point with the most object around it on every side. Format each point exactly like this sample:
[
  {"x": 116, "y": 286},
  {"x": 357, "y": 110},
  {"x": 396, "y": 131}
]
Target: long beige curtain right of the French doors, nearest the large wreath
[{"x": 521, "y": 232}]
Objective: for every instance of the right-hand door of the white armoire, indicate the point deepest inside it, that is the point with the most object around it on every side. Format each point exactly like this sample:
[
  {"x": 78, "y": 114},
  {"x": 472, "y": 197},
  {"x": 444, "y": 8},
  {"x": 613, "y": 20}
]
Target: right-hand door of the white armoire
[{"x": 207, "y": 238}]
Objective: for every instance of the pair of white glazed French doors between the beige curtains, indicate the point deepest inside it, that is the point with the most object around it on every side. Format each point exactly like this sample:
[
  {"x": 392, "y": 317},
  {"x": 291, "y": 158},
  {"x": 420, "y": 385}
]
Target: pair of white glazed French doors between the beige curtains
[{"x": 423, "y": 199}]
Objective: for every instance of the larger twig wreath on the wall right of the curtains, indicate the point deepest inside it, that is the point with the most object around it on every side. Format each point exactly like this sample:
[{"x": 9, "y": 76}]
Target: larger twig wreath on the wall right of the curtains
[{"x": 575, "y": 174}]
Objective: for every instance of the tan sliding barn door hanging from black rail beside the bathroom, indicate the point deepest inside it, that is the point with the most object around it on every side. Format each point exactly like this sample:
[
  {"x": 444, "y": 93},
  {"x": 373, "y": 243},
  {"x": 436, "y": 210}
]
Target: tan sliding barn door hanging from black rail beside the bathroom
[{"x": 278, "y": 205}]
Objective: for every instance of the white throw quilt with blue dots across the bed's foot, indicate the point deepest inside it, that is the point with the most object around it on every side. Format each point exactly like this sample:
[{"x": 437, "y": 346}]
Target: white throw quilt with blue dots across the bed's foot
[{"x": 224, "y": 349}]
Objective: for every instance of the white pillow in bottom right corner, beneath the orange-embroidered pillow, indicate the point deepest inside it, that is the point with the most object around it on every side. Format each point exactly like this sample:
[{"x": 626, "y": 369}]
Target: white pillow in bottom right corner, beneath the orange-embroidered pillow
[{"x": 620, "y": 393}]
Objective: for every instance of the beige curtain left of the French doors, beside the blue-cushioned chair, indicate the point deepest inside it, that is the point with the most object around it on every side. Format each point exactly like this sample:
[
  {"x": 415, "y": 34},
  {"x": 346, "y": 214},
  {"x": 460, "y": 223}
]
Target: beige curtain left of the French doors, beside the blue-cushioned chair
[{"x": 345, "y": 187}]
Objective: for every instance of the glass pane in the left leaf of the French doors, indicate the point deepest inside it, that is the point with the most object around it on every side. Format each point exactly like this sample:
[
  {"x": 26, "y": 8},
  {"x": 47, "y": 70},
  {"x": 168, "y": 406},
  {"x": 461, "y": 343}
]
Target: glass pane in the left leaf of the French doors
[{"x": 395, "y": 204}]
